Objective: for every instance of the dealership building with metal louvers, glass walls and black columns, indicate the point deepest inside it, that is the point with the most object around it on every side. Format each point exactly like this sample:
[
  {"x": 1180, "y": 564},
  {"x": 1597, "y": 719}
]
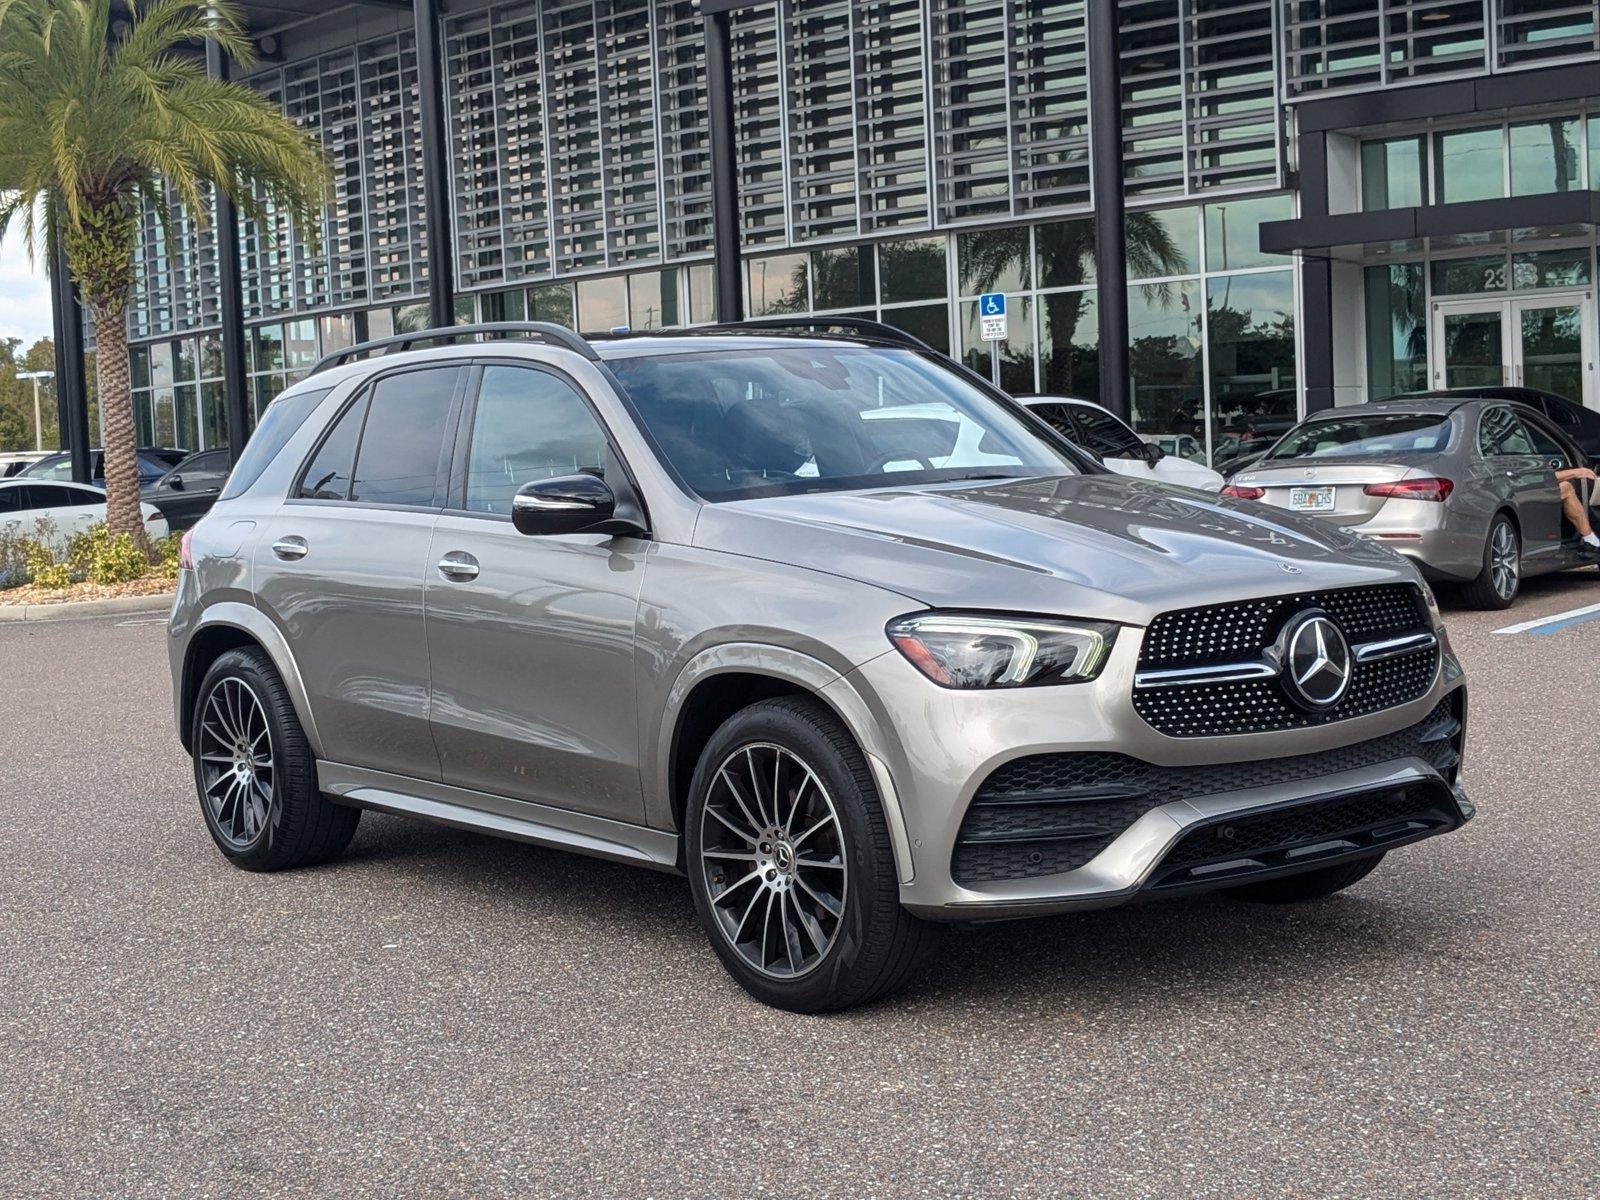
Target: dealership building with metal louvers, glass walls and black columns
[{"x": 1321, "y": 201}]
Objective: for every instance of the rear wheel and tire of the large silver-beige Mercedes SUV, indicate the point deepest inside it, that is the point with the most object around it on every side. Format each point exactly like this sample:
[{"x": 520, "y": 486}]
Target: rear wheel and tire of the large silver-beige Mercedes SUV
[{"x": 257, "y": 775}]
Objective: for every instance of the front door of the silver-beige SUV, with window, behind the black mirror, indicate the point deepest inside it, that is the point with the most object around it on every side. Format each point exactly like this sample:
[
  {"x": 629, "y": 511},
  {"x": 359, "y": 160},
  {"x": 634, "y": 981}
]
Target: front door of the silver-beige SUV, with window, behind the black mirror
[{"x": 532, "y": 639}]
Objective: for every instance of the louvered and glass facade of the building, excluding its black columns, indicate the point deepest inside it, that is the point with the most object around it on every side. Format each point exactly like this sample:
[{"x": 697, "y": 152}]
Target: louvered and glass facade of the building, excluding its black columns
[{"x": 895, "y": 161}]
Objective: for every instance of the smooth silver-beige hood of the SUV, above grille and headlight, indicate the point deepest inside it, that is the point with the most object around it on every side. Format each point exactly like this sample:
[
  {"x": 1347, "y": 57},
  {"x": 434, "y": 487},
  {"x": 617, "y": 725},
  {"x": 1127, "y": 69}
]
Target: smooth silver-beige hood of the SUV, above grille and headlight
[{"x": 1090, "y": 546}]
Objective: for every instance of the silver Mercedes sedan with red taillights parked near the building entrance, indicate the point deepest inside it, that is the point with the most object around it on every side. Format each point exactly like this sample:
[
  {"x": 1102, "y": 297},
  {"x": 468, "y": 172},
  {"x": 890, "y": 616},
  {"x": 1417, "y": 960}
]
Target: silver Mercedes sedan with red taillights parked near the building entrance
[{"x": 1468, "y": 489}]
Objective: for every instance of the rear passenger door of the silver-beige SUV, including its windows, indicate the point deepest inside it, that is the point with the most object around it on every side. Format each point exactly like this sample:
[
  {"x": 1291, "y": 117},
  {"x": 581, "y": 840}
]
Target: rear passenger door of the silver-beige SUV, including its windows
[{"x": 342, "y": 566}]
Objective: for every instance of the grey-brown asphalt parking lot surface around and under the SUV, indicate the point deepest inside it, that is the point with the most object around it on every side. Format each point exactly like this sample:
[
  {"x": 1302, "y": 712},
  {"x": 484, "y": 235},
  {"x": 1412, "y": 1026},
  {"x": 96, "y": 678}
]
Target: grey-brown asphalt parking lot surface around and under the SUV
[{"x": 444, "y": 1014}]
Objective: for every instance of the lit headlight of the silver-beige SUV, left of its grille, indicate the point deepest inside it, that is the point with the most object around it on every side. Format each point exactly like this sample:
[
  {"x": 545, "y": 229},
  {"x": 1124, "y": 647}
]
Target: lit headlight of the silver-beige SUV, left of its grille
[{"x": 961, "y": 650}]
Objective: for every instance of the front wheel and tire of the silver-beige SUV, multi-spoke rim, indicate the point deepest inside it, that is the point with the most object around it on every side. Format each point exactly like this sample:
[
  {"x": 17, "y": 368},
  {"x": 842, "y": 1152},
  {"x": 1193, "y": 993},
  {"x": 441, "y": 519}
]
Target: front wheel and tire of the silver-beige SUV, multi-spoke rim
[{"x": 791, "y": 863}]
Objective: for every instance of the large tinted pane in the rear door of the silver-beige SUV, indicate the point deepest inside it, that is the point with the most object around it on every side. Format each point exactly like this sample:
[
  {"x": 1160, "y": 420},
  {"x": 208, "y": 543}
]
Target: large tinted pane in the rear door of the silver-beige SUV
[{"x": 406, "y": 438}]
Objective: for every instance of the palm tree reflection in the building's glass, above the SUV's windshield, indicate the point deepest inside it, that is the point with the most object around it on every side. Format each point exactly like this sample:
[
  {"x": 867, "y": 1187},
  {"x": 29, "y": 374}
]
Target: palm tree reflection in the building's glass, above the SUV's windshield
[{"x": 1151, "y": 254}]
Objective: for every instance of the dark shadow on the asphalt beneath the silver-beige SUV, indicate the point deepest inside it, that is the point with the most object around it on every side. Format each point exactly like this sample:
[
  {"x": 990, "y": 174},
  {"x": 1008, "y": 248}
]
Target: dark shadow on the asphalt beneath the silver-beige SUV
[{"x": 1146, "y": 954}]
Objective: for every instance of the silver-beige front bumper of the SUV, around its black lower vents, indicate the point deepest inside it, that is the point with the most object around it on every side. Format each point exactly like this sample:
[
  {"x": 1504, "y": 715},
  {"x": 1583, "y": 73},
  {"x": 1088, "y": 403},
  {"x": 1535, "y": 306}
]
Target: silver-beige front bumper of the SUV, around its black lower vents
[{"x": 959, "y": 740}]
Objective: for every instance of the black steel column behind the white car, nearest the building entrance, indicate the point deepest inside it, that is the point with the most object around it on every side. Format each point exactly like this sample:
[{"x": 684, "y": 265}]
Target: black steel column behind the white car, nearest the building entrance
[{"x": 1111, "y": 234}]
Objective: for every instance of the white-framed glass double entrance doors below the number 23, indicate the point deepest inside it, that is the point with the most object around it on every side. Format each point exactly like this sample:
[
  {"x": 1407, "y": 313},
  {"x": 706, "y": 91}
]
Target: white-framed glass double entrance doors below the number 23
[{"x": 1543, "y": 342}]
